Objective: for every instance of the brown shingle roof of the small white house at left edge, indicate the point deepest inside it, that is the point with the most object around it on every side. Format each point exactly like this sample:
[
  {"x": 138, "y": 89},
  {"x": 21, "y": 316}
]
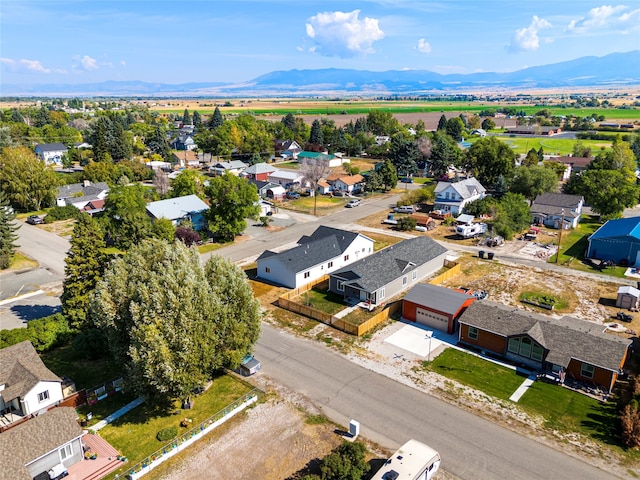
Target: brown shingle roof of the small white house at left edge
[{"x": 21, "y": 369}]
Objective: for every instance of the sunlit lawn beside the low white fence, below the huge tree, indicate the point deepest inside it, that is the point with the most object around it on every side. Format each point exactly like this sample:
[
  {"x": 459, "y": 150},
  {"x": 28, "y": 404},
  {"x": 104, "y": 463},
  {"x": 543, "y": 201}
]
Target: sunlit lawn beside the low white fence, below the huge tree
[{"x": 134, "y": 434}]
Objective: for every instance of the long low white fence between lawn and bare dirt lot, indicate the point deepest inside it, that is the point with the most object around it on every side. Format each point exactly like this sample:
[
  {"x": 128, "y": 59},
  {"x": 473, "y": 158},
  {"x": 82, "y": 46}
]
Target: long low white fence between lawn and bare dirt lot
[{"x": 183, "y": 441}]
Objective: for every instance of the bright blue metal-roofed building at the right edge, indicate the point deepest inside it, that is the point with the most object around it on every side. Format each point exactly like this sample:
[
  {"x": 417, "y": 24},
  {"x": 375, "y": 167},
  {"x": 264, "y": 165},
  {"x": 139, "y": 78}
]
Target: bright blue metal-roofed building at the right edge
[{"x": 617, "y": 240}]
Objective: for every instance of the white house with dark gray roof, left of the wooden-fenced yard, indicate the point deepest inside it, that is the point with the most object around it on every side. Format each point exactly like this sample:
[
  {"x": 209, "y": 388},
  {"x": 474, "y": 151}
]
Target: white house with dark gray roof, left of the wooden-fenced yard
[{"x": 324, "y": 251}]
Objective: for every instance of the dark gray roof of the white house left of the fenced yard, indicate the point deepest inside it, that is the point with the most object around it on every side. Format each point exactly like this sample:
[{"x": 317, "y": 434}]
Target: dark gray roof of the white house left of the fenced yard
[{"x": 324, "y": 244}]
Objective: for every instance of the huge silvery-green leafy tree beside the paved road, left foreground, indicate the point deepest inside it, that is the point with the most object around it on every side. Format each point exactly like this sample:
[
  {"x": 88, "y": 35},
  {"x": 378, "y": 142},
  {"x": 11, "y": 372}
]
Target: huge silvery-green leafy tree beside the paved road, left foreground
[{"x": 172, "y": 323}]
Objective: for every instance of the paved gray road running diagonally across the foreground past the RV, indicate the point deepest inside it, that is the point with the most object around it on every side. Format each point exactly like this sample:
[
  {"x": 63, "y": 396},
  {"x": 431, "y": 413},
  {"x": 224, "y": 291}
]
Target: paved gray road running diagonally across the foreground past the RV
[{"x": 391, "y": 413}]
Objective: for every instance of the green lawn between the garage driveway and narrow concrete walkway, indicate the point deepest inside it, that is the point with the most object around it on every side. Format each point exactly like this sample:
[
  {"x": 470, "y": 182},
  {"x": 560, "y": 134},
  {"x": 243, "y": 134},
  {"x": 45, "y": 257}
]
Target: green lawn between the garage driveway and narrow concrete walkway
[{"x": 475, "y": 372}]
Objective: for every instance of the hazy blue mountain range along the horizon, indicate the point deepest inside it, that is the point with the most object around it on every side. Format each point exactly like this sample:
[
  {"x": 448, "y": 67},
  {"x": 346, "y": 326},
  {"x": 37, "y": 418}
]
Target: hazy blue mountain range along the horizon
[{"x": 616, "y": 69}]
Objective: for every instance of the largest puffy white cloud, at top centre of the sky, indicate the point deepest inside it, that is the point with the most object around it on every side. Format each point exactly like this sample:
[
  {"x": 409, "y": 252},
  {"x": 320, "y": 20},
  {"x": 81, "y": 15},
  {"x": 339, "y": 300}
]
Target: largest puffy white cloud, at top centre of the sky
[{"x": 343, "y": 34}]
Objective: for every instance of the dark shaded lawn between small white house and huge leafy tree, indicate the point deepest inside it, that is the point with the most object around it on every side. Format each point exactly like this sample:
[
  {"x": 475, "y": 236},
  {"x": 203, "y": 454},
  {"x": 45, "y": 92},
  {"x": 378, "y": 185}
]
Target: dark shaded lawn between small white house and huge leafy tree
[{"x": 85, "y": 373}]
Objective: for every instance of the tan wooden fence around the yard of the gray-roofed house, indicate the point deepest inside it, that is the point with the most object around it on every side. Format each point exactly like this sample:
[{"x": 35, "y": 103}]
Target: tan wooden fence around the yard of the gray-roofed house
[{"x": 285, "y": 301}]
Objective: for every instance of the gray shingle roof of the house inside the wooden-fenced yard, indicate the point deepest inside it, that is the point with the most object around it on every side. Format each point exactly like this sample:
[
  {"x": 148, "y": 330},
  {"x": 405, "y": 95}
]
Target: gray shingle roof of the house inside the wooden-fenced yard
[{"x": 383, "y": 267}]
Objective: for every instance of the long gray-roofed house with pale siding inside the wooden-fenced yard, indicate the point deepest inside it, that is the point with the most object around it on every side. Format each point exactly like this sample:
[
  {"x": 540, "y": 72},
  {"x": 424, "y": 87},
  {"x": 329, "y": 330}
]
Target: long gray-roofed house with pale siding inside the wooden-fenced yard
[{"x": 381, "y": 276}]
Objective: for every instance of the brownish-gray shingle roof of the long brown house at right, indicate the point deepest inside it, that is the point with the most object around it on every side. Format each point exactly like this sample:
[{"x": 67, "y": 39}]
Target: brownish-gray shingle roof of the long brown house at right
[{"x": 564, "y": 338}]
